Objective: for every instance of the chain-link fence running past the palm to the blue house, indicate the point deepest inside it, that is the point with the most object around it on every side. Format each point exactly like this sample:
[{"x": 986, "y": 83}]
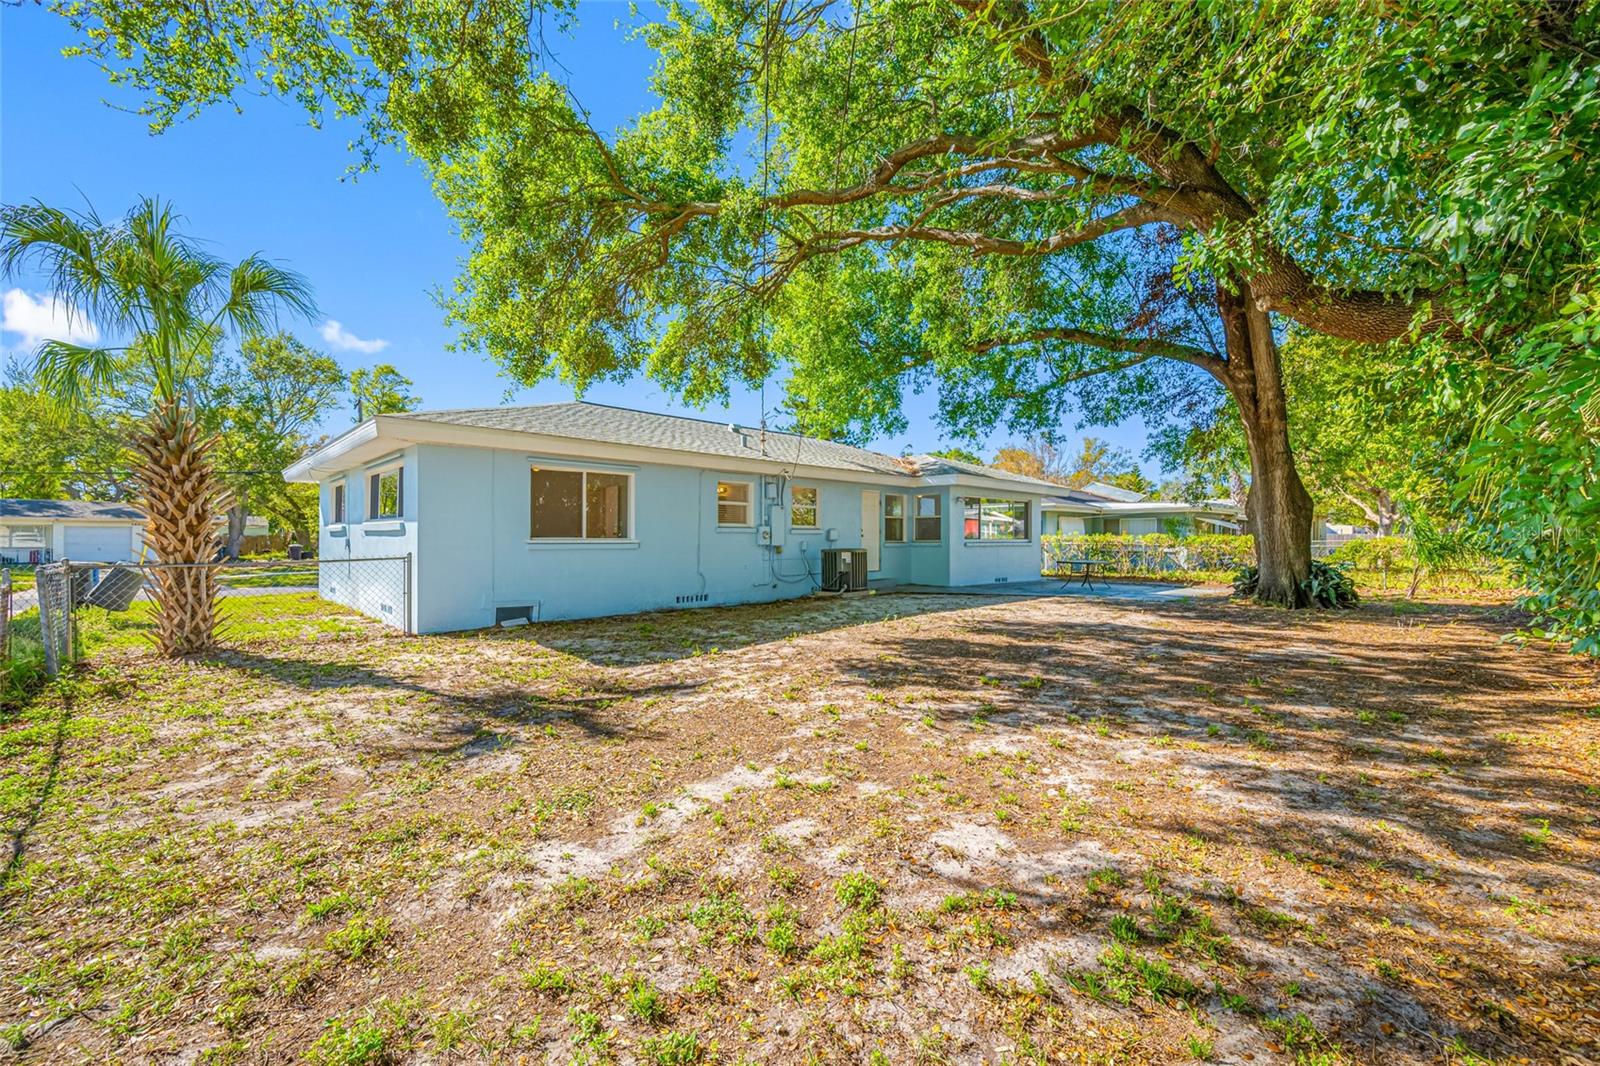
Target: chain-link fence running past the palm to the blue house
[{"x": 87, "y": 606}]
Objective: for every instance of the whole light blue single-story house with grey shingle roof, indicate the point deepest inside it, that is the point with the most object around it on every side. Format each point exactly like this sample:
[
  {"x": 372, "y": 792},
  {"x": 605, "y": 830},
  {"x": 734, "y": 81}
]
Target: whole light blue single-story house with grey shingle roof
[{"x": 578, "y": 510}]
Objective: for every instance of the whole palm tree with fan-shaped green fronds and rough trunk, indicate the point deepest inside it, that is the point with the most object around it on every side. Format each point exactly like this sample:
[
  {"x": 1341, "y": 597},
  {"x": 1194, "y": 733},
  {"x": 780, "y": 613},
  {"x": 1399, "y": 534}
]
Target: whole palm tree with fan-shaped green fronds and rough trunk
[{"x": 170, "y": 302}]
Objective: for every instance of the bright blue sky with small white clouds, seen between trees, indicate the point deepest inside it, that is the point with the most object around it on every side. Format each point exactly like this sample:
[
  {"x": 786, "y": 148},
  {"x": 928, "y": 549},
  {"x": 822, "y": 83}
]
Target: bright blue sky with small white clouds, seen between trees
[{"x": 375, "y": 250}]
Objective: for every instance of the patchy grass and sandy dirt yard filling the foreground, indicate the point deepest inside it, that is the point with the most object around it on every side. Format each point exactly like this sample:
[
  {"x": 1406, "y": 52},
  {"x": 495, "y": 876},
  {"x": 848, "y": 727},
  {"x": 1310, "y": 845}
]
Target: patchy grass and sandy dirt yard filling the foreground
[{"x": 889, "y": 830}]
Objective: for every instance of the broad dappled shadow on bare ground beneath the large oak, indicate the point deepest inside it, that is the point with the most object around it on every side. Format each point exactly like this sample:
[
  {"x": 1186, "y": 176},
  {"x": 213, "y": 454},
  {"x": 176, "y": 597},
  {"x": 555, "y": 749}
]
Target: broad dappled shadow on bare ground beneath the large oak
[{"x": 1303, "y": 742}]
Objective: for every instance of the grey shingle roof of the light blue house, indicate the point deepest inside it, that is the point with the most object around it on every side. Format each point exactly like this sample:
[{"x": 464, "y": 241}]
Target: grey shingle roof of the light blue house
[{"x": 625, "y": 427}]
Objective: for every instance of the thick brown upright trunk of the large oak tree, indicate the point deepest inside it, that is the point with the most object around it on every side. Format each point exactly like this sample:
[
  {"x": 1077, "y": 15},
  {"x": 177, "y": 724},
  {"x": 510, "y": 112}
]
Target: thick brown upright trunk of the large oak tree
[{"x": 1279, "y": 513}]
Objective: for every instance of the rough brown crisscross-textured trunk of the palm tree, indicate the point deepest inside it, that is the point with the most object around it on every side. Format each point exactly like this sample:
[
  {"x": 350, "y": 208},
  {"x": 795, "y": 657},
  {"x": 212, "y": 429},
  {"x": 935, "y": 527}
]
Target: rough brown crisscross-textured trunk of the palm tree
[{"x": 183, "y": 500}]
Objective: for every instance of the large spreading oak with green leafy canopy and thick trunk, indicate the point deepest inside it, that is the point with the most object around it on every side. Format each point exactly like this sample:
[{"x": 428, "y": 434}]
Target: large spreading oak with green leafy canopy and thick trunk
[{"x": 1028, "y": 209}]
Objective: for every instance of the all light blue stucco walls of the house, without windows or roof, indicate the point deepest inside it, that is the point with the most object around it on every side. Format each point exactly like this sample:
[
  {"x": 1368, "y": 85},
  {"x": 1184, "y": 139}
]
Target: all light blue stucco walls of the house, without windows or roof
[{"x": 466, "y": 521}]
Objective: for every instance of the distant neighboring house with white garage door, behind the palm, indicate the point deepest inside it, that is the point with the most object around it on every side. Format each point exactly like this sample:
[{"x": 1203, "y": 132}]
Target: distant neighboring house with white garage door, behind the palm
[{"x": 46, "y": 531}]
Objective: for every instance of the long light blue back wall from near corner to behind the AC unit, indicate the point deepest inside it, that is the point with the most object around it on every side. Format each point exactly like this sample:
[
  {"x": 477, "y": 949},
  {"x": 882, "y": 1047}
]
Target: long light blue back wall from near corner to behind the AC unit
[{"x": 476, "y": 555}]
